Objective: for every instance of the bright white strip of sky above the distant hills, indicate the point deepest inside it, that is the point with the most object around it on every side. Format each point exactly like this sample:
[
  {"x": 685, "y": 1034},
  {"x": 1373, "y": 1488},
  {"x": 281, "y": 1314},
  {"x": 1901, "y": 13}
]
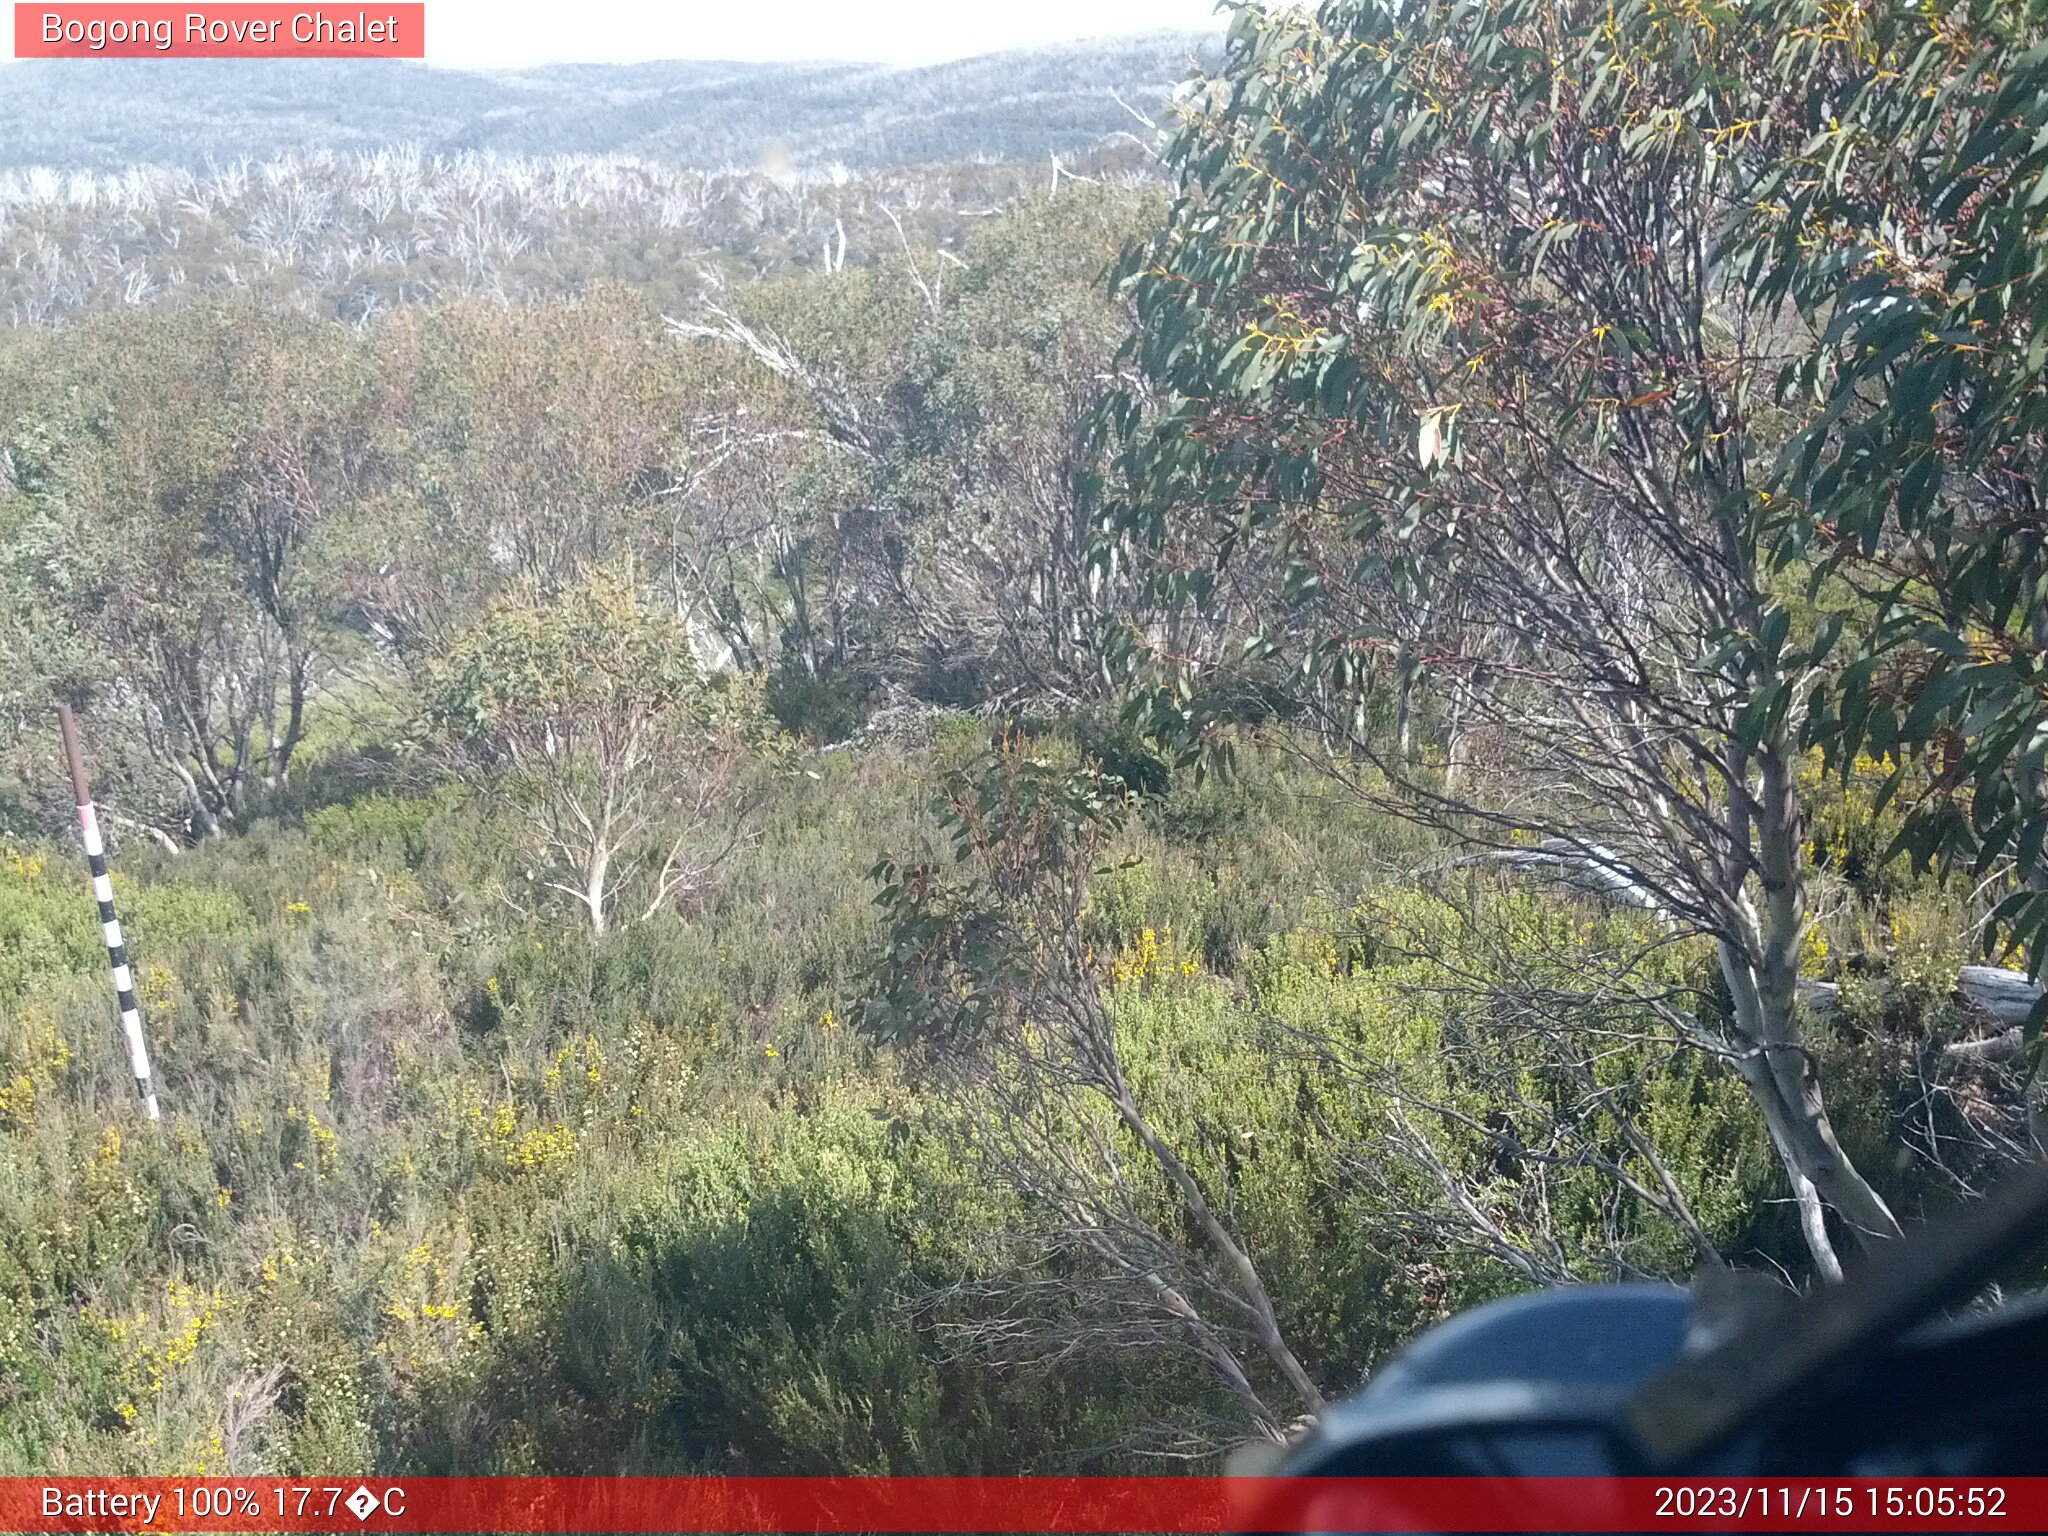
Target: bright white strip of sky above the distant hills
[{"x": 511, "y": 34}]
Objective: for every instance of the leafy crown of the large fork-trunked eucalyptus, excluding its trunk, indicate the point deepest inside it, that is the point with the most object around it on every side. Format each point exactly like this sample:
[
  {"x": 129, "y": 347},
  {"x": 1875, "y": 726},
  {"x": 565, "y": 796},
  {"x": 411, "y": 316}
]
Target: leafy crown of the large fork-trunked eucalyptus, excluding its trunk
[{"x": 1396, "y": 294}]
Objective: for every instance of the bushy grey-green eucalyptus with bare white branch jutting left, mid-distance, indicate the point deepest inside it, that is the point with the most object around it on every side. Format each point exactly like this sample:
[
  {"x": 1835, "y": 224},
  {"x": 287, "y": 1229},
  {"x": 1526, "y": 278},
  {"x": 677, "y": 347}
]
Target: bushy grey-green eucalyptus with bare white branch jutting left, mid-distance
[{"x": 943, "y": 544}]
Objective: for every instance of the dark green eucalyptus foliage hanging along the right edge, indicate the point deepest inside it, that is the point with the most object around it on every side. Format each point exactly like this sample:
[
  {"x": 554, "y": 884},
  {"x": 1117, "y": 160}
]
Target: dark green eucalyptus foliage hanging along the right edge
[{"x": 1906, "y": 224}]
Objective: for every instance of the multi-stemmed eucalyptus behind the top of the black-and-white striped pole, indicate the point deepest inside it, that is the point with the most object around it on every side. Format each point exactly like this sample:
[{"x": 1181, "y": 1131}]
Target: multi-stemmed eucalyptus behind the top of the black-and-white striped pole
[{"x": 181, "y": 478}]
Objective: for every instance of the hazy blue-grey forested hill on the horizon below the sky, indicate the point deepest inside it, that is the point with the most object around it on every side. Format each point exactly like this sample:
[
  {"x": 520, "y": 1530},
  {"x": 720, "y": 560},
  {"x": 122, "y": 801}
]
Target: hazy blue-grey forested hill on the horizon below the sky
[{"x": 110, "y": 114}]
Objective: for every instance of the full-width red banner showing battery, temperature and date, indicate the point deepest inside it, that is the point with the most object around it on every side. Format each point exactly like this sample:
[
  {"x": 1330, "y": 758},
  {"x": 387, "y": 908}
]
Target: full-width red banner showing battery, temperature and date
[{"x": 1086, "y": 1506}]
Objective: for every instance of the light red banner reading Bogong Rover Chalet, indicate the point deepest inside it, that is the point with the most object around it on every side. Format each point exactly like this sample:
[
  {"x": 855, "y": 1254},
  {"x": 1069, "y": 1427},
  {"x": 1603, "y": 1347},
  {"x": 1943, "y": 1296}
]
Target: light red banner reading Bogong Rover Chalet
[{"x": 220, "y": 32}]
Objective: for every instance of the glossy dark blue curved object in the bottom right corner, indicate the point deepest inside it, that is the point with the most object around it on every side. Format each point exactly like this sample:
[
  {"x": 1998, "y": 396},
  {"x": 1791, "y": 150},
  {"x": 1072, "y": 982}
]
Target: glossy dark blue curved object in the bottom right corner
[{"x": 1553, "y": 1385}]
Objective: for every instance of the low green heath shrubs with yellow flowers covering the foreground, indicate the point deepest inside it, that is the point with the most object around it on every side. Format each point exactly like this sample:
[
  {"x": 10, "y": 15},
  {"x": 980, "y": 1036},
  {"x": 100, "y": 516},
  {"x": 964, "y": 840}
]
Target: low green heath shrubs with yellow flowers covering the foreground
[{"x": 511, "y": 1201}]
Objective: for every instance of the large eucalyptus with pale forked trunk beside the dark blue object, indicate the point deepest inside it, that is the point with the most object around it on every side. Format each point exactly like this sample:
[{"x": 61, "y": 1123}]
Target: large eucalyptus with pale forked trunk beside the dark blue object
[{"x": 1451, "y": 384}]
